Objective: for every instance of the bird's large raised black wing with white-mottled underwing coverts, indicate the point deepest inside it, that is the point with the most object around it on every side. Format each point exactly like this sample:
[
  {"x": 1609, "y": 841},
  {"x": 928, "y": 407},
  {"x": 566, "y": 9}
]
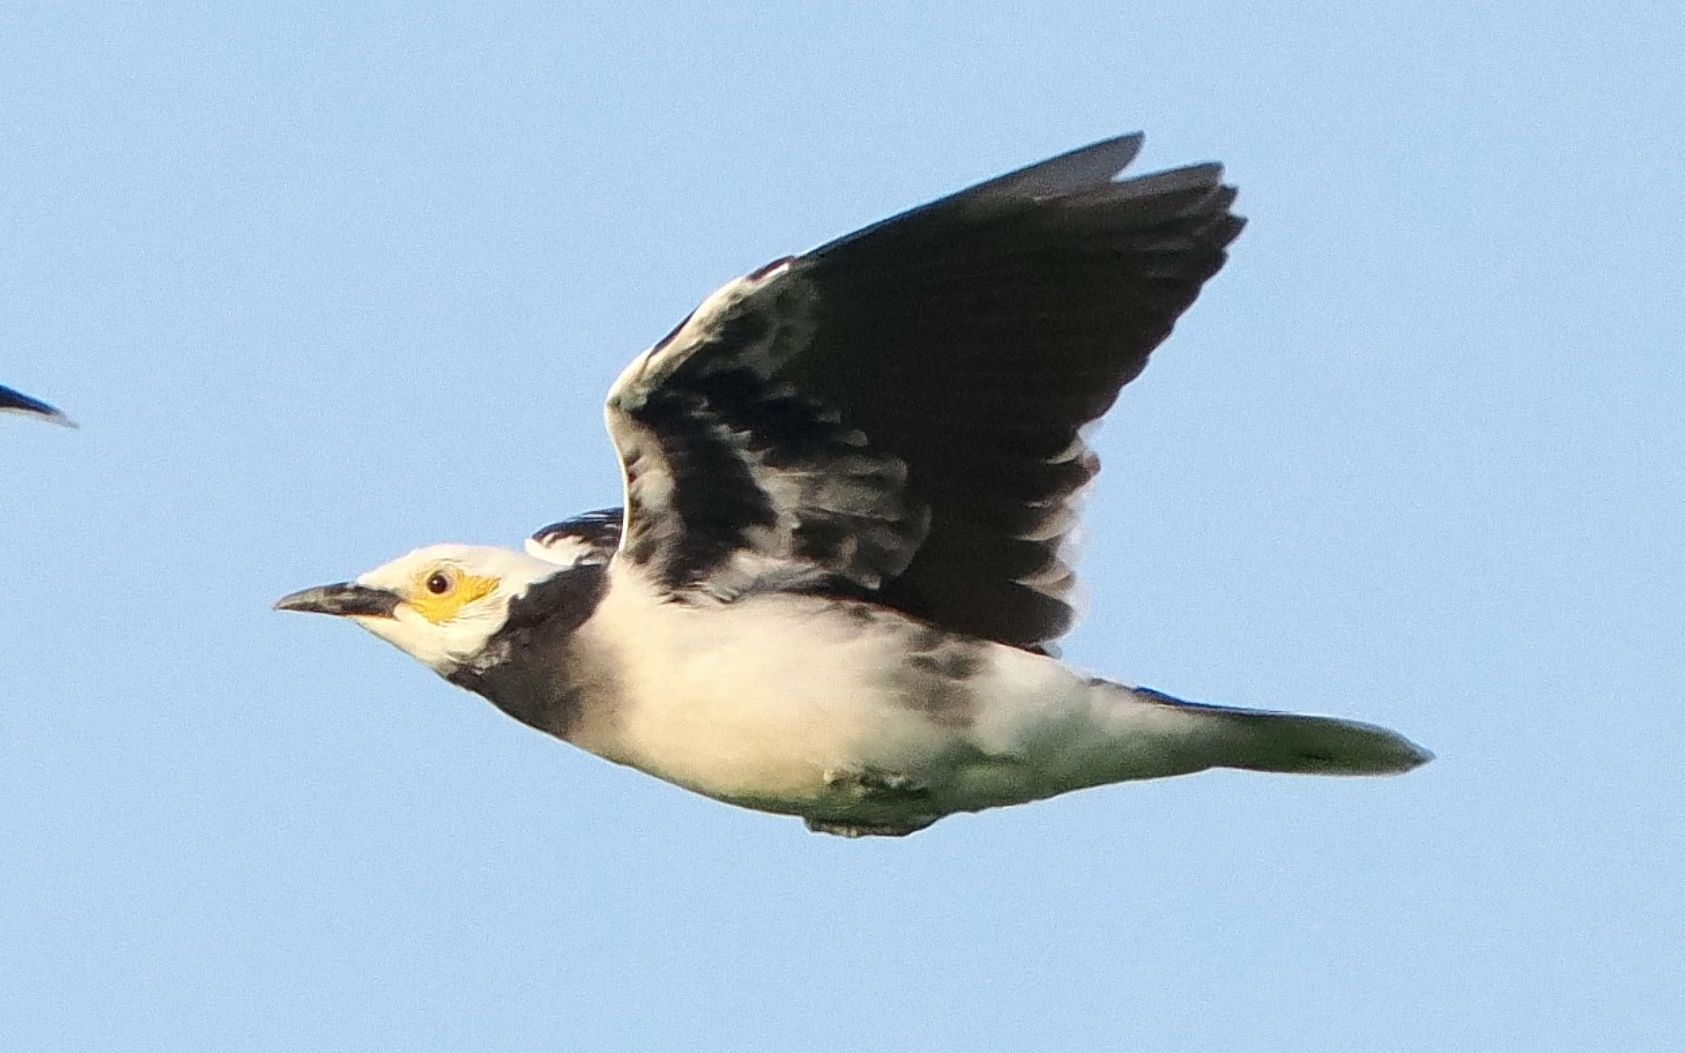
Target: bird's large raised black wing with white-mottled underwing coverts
[{"x": 897, "y": 414}]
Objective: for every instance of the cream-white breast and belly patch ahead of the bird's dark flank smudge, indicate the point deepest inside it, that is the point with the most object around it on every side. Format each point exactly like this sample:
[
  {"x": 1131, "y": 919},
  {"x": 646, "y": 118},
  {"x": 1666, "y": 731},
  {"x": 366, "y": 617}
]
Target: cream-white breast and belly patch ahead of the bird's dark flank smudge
[{"x": 759, "y": 702}]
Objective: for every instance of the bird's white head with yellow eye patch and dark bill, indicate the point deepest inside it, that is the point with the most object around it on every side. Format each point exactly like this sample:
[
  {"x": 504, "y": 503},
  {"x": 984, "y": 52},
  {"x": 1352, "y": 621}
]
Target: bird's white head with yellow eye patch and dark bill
[{"x": 441, "y": 606}]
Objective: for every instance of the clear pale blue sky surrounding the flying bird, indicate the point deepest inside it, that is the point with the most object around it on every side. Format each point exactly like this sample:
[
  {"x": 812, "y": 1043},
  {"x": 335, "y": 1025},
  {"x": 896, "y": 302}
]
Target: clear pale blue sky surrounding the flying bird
[{"x": 328, "y": 284}]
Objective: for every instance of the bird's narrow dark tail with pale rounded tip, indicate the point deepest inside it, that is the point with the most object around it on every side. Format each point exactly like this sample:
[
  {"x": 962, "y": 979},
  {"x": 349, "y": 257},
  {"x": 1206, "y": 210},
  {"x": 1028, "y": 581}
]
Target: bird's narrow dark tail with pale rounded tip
[{"x": 1260, "y": 740}]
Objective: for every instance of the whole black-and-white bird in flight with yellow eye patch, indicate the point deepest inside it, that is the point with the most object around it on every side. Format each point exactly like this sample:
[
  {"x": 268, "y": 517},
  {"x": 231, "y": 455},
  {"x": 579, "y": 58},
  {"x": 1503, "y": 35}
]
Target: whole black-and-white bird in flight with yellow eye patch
[{"x": 850, "y": 483}]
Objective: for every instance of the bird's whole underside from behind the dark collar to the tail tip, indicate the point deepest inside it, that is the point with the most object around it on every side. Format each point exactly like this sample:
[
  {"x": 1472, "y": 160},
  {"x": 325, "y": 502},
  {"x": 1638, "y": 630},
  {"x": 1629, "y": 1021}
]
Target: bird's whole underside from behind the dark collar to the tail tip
[{"x": 862, "y": 719}]
